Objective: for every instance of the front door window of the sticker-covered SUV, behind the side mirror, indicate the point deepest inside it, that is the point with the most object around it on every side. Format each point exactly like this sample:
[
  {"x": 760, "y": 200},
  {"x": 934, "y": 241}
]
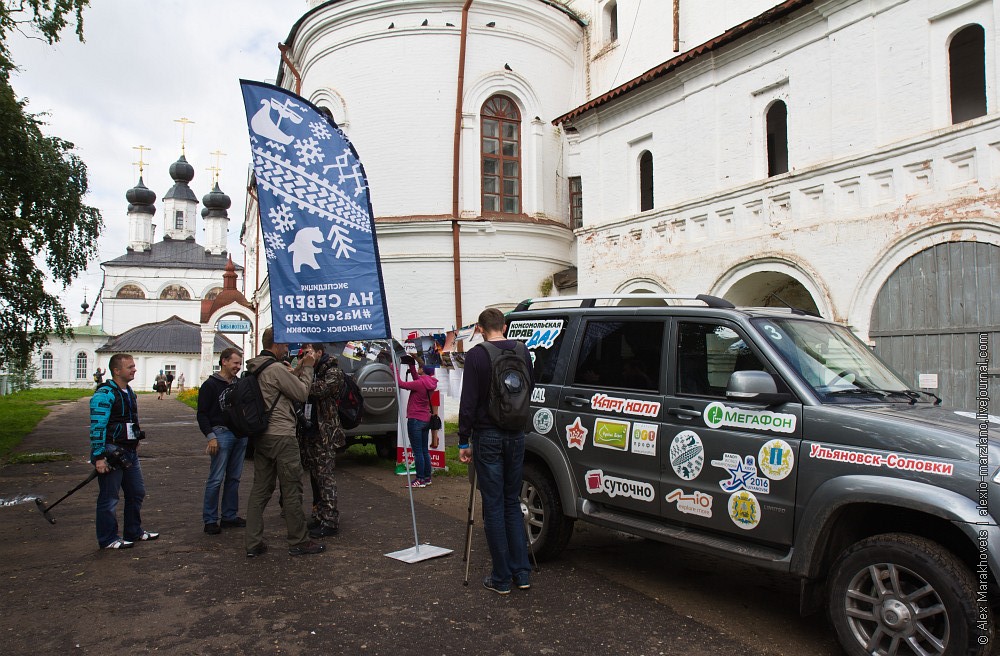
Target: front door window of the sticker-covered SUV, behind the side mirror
[{"x": 707, "y": 355}]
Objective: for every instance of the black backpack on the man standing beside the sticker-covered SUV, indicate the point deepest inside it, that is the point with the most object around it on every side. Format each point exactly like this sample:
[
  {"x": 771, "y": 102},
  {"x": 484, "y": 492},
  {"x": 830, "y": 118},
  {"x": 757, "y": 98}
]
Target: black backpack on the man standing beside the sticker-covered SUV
[{"x": 510, "y": 387}]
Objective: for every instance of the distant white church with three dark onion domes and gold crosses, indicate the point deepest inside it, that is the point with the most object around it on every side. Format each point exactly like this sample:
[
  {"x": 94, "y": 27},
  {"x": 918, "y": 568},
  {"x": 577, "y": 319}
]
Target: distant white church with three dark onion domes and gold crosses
[{"x": 161, "y": 301}]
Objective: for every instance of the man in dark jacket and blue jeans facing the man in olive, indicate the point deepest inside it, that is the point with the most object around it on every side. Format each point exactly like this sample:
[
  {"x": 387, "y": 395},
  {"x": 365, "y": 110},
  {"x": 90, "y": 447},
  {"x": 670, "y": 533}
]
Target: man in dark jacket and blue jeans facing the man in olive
[{"x": 226, "y": 450}]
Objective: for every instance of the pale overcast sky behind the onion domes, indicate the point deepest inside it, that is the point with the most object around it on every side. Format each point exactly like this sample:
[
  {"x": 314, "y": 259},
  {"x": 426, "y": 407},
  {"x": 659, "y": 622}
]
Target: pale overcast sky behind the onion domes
[{"x": 144, "y": 64}]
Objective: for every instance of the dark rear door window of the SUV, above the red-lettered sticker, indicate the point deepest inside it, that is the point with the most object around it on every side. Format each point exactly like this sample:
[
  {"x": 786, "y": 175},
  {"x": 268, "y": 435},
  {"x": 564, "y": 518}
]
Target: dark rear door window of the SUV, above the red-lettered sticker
[{"x": 620, "y": 354}]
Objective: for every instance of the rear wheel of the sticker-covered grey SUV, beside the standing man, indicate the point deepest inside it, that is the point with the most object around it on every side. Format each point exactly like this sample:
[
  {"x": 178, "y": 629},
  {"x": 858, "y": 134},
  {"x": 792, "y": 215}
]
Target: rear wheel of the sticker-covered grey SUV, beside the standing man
[{"x": 548, "y": 528}]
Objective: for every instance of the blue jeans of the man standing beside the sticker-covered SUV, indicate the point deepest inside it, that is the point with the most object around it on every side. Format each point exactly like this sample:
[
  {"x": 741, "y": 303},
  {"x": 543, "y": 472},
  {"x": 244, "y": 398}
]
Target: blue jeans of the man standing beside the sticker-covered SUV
[{"x": 499, "y": 459}]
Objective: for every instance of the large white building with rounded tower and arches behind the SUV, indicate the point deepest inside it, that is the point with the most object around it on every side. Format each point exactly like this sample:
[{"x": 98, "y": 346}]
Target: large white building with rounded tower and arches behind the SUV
[{"x": 840, "y": 156}]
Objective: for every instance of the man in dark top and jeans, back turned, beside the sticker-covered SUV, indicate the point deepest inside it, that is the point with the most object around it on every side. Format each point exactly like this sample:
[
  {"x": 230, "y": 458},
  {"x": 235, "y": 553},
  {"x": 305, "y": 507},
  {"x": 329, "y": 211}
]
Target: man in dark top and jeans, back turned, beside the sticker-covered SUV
[{"x": 498, "y": 458}]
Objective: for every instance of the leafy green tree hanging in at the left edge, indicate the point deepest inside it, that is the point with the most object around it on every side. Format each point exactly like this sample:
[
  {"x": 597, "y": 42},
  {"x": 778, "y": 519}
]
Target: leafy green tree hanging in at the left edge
[{"x": 43, "y": 219}]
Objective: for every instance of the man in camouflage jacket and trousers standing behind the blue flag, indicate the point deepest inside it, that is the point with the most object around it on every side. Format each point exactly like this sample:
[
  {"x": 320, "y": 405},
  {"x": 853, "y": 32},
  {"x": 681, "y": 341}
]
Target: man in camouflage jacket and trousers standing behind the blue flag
[{"x": 319, "y": 441}]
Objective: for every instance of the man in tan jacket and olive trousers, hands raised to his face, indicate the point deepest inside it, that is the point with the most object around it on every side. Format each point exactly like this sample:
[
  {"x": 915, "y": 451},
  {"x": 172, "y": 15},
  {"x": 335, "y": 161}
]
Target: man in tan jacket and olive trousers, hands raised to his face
[{"x": 276, "y": 452}]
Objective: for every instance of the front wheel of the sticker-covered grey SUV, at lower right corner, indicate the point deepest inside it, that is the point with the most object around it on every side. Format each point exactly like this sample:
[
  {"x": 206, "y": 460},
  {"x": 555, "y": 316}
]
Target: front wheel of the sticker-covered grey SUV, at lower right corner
[{"x": 898, "y": 594}]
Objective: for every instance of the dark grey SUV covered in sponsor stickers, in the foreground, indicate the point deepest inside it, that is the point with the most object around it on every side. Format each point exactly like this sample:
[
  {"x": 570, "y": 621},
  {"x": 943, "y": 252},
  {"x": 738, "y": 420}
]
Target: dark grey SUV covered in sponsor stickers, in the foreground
[{"x": 773, "y": 437}]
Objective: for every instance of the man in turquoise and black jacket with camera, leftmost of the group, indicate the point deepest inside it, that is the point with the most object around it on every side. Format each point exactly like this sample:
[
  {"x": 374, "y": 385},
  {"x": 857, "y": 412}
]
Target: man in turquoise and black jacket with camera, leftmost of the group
[{"x": 114, "y": 419}]
